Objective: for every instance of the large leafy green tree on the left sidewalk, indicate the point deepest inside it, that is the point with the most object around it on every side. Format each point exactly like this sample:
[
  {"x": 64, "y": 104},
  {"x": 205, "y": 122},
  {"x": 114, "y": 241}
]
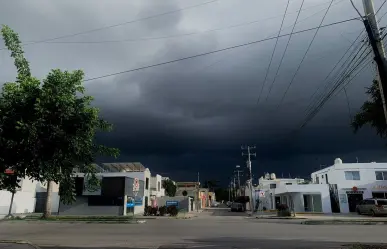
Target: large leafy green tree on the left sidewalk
[{"x": 48, "y": 128}]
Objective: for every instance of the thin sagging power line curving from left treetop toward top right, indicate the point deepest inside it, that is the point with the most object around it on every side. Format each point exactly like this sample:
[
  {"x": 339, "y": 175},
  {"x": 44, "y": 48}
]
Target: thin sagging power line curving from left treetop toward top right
[{"x": 179, "y": 35}]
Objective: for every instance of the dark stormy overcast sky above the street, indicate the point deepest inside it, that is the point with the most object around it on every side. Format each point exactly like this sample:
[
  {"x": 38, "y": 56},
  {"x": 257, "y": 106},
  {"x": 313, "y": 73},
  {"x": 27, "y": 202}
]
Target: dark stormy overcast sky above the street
[{"x": 193, "y": 115}]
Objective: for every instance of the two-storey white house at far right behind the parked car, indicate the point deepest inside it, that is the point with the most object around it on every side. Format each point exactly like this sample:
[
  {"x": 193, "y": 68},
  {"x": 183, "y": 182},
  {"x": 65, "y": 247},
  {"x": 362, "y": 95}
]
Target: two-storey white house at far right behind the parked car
[{"x": 349, "y": 183}]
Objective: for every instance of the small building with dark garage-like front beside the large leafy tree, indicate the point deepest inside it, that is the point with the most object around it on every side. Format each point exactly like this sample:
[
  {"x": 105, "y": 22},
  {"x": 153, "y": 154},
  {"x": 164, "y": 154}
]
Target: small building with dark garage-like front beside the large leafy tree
[{"x": 115, "y": 194}]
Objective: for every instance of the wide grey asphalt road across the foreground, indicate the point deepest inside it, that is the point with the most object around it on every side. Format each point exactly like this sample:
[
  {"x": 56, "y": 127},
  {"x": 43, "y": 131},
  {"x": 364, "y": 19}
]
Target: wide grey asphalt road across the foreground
[{"x": 216, "y": 230}]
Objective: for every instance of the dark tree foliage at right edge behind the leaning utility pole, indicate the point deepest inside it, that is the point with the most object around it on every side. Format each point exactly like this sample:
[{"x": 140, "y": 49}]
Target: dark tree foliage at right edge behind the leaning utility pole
[{"x": 371, "y": 112}]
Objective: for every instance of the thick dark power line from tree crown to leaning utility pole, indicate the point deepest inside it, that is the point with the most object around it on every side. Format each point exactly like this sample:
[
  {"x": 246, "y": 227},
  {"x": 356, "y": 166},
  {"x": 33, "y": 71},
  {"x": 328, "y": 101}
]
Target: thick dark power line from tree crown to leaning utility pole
[{"x": 216, "y": 51}]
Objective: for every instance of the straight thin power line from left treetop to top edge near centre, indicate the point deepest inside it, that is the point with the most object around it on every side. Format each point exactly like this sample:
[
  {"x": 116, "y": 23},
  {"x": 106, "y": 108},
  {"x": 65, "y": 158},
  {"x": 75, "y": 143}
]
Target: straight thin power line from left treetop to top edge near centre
[{"x": 117, "y": 25}]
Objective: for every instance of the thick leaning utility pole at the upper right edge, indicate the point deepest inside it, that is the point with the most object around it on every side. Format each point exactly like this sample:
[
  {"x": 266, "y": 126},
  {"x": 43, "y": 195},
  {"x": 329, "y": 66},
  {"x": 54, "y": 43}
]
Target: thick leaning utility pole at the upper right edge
[{"x": 372, "y": 29}]
